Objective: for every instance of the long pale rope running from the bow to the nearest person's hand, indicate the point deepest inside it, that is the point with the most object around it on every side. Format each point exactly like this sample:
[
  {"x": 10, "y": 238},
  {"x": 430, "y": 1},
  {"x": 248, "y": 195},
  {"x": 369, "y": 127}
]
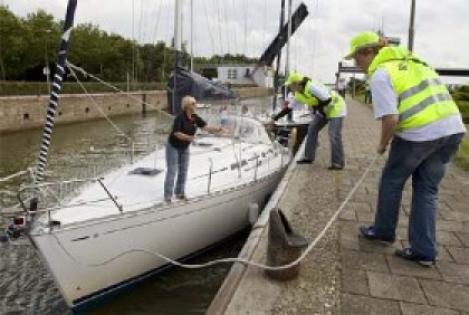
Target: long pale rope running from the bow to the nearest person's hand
[{"x": 236, "y": 259}]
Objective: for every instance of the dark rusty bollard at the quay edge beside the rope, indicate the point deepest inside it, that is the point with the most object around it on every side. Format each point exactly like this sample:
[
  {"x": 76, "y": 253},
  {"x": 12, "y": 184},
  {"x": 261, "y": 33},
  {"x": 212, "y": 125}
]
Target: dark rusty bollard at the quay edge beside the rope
[{"x": 284, "y": 246}]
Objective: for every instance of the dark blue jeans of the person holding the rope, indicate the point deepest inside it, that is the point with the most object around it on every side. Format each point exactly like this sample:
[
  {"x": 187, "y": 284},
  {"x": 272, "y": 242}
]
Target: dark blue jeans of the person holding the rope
[{"x": 426, "y": 162}]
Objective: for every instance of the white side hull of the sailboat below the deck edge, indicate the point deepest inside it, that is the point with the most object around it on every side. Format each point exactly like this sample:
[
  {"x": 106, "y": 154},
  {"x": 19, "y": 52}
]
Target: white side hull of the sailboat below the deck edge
[{"x": 94, "y": 258}]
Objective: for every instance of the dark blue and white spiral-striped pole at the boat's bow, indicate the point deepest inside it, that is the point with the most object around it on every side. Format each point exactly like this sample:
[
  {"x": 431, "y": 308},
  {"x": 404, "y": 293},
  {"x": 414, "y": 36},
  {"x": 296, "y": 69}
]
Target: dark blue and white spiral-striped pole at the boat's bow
[{"x": 55, "y": 92}]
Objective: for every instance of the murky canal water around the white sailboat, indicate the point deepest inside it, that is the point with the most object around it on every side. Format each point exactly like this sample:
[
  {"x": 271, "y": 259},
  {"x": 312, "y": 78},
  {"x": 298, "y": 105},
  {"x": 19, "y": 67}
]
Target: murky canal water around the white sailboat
[{"x": 88, "y": 149}]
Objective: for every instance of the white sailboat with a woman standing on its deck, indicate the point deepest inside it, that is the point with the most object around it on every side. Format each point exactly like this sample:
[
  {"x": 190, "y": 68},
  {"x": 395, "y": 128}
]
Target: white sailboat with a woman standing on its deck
[{"x": 102, "y": 239}]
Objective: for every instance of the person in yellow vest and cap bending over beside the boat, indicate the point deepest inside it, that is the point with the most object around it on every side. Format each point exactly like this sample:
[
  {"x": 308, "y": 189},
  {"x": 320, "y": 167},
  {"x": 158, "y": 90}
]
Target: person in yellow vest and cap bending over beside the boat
[{"x": 329, "y": 108}]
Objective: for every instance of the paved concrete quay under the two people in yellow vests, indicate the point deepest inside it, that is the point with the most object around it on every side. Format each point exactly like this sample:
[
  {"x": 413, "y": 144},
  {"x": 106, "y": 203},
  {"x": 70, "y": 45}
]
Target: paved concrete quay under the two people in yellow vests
[{"x": 346, "y": 274}]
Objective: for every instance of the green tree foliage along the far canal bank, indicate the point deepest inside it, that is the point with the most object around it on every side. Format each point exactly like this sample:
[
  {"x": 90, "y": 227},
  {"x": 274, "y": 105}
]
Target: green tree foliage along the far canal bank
[{"x": 28, "y": 44}]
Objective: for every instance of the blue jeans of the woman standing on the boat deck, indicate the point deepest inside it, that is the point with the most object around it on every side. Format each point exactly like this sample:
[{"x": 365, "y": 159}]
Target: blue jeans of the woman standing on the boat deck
[{"x": 177, "y": 161}]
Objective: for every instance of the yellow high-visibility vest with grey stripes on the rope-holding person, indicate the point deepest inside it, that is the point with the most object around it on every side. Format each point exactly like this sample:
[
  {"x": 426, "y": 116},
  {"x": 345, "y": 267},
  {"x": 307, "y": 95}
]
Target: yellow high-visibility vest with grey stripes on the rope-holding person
[{"x": 422, "y": 97}]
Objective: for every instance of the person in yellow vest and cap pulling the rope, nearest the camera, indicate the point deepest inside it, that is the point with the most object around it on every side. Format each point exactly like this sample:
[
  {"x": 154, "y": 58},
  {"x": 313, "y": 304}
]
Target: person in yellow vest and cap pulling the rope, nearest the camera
[{"x": 425, "y": 128}]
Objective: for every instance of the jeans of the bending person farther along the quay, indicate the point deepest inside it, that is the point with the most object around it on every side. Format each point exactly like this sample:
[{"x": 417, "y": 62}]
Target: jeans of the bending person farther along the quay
[{"x": 335, "y": 137}]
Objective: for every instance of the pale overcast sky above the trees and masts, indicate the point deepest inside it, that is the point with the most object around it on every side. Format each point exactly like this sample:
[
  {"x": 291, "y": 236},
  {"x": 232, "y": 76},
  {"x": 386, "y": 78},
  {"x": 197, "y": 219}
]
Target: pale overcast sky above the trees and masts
[{"x": 248, "y": 26}]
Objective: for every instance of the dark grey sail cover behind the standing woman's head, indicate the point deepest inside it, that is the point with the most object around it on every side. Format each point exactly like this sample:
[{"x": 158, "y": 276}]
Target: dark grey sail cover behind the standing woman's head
[{"x": 191, "y": 83}]
